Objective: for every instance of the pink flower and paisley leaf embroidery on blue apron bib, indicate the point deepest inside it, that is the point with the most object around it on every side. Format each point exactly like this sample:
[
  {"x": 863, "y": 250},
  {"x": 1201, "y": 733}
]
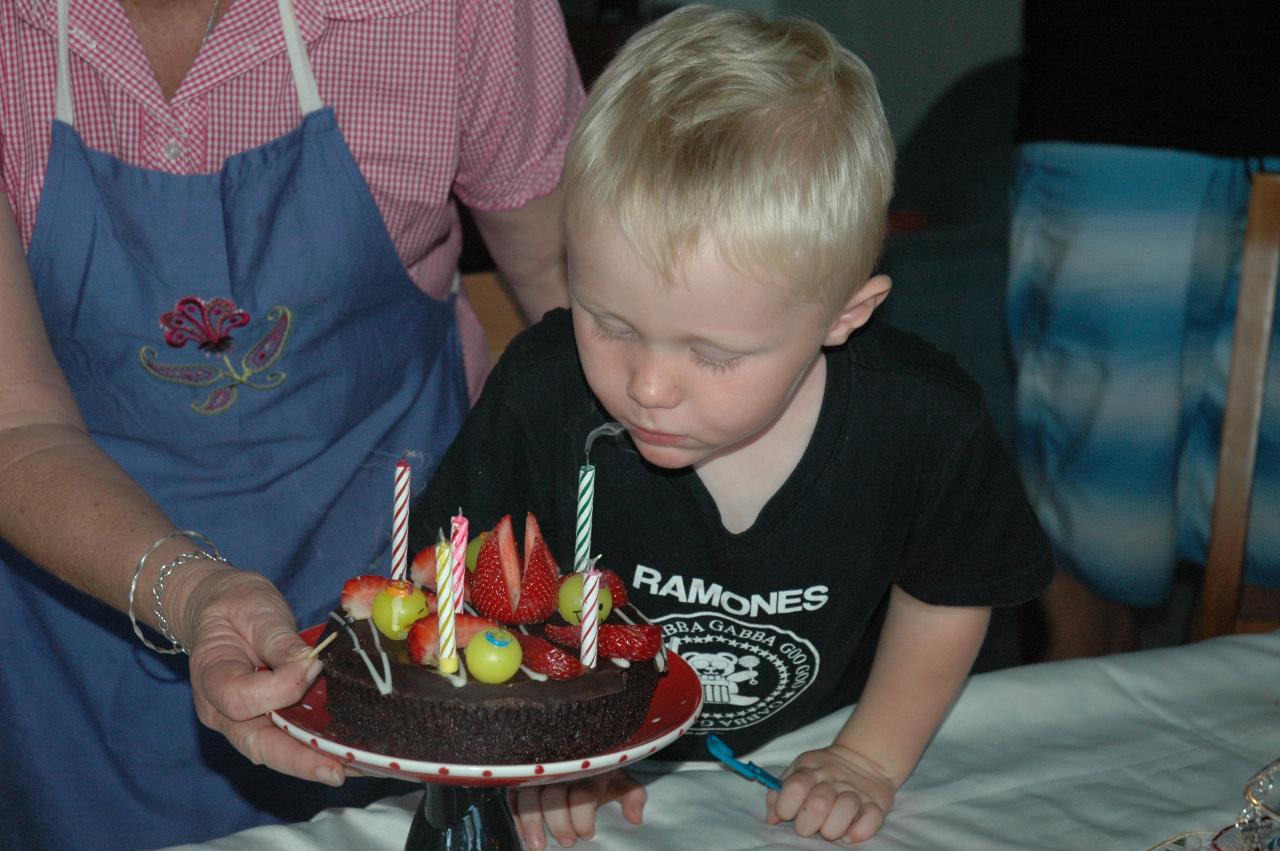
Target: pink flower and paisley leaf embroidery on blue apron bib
[{"x": 209, "y": 326}]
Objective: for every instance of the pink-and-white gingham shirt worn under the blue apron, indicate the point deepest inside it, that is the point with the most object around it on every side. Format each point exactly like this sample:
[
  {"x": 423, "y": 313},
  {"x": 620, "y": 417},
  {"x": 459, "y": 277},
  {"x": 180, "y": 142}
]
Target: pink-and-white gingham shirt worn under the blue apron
[{"x": 472, "y": 98}]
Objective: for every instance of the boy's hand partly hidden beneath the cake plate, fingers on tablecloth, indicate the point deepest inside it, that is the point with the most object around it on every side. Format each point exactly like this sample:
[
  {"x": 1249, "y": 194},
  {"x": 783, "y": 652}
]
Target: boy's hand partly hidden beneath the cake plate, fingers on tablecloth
[{"x": 568, "y": 811}]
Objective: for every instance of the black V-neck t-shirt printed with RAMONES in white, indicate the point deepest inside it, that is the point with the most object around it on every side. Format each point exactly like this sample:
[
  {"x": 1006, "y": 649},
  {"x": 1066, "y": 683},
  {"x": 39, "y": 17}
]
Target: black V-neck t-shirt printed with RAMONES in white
[{"x": 904, "y": 482}]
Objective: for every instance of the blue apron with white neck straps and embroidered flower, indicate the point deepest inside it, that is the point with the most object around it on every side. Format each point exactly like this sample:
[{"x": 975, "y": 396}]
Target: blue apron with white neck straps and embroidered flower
[{"x": 249, "y": 347}]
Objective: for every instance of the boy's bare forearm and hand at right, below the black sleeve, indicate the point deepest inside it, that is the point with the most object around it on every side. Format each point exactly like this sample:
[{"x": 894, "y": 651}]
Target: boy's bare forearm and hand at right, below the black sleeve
[{"x": 922, "y": 661}]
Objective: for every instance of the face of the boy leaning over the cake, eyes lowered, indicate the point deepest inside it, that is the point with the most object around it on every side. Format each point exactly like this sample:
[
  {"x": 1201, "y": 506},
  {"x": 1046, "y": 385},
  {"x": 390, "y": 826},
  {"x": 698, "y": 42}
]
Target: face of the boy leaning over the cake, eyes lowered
[{"x": 700, "y": 367}]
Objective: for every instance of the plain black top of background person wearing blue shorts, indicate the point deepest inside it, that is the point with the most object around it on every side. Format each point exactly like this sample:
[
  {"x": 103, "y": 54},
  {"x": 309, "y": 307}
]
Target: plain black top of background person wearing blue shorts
[{"x": 1195, "y": 75}]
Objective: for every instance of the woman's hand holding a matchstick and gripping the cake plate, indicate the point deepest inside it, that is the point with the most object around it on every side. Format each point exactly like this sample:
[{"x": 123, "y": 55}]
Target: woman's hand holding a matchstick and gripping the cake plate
[{"x": 235, "y": 624}]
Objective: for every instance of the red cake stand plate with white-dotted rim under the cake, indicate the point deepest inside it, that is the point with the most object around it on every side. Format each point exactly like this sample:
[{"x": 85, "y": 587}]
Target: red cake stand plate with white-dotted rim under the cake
[{"x": 675, "y": 706}]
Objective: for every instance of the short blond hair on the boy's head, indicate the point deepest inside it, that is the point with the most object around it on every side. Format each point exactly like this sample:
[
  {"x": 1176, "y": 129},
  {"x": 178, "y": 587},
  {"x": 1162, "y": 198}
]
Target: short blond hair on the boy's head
[{"x": 766, "y": 138}]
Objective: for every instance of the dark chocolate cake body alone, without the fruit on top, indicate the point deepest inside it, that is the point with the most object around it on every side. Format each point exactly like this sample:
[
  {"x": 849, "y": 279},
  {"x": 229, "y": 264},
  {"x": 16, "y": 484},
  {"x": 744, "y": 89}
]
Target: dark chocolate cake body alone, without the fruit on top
[{"x": 427, "y": 716}]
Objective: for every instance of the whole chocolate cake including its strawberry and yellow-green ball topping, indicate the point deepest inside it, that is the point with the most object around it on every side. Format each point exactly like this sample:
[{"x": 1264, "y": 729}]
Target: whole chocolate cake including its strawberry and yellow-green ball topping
[{"x": 520, "y": 694}]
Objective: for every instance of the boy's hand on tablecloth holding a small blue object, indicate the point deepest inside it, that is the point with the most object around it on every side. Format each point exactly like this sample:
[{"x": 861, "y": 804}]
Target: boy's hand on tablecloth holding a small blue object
[{"x": 835, "y": 793}]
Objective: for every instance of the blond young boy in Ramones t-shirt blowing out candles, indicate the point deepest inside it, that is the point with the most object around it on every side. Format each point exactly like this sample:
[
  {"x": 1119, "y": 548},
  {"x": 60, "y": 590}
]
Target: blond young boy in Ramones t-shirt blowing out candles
[{"x": 813, "y": 515}]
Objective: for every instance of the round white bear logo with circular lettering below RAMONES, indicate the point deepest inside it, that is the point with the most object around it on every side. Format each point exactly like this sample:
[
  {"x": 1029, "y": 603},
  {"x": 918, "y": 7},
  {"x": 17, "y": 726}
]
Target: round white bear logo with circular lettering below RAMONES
[{"x": 749, "y": 671}]
